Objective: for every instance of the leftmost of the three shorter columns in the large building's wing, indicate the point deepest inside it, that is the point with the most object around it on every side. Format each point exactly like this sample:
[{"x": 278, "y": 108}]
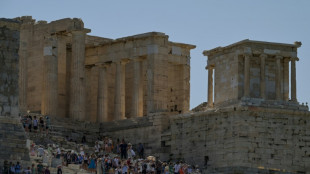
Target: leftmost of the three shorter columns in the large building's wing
[{"x": 103, "y": 94}]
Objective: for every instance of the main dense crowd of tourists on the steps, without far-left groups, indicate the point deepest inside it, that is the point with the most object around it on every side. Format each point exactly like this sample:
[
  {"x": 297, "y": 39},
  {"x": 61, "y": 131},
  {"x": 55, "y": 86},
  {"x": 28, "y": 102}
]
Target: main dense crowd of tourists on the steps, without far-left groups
[{"x": 119, "y": 158}]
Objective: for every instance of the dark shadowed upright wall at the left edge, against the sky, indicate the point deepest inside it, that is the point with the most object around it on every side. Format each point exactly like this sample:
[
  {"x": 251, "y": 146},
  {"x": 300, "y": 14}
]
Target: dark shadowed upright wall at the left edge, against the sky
[{"x": 9, "y": 46}]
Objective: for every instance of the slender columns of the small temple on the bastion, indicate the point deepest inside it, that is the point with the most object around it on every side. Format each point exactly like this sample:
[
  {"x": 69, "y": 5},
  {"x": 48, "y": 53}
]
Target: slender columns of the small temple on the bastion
[{"x": 279, "y": 78}]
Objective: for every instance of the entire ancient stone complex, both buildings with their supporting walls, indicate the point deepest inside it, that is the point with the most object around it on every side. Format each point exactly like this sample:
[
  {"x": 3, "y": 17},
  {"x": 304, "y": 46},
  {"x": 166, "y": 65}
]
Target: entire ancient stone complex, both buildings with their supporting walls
[{"x": 253, "y": 122}]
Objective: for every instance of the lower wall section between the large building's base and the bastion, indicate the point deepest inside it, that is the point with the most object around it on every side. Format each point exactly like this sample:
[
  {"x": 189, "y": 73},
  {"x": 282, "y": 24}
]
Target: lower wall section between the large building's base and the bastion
[{"x": 146, "y": 130}]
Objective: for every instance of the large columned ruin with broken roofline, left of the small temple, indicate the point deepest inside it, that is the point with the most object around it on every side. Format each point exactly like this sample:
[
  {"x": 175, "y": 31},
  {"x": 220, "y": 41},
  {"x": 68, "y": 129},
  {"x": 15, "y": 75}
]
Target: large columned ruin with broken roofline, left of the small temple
[{"x": 66, "y": 72}]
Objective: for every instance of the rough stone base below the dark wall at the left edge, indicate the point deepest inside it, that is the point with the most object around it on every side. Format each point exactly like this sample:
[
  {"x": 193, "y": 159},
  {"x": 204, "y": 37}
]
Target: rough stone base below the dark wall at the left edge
[{"x": 13, "y": 141}]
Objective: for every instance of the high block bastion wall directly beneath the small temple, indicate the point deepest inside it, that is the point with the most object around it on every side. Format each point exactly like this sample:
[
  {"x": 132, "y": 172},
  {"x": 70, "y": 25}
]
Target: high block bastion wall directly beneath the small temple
[{"x": 248, "y": 139}]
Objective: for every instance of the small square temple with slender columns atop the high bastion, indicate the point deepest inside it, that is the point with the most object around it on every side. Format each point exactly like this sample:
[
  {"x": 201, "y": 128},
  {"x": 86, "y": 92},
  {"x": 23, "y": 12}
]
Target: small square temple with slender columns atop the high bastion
[{"x": 253, "y": 72}]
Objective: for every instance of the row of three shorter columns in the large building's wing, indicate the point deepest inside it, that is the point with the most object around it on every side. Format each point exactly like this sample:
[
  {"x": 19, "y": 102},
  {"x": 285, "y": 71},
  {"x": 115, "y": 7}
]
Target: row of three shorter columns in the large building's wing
[{"x": 119, "y": 94}]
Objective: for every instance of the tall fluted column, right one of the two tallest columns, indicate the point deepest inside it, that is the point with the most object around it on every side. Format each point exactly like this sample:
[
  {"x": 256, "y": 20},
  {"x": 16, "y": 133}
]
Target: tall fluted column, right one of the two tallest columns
[{"x": 77, "y": 85}]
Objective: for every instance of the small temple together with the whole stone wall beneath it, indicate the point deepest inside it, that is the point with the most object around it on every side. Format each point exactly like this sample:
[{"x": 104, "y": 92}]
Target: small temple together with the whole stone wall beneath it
[{"x": 251, "y": 126}]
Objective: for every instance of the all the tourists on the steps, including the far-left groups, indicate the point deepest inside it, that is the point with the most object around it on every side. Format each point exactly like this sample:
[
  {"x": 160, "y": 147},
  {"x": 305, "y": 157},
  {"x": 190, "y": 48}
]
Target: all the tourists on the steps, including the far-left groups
[{"x": 106, "y": 157}]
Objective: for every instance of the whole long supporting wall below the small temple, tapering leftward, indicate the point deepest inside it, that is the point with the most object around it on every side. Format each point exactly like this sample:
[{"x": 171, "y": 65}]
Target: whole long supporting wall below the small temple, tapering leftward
[{"x": 232, "y": 140}]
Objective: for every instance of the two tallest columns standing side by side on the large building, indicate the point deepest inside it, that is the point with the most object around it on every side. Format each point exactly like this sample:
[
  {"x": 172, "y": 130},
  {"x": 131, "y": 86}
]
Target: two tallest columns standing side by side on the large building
[{"x": 49, "y": 104}]
